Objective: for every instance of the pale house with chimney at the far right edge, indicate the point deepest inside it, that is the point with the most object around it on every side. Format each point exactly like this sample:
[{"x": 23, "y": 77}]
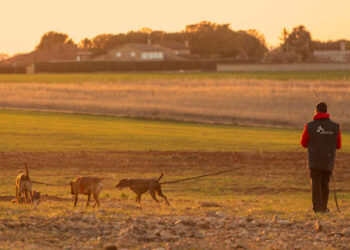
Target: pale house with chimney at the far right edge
[{"x": 341, "y": 55}]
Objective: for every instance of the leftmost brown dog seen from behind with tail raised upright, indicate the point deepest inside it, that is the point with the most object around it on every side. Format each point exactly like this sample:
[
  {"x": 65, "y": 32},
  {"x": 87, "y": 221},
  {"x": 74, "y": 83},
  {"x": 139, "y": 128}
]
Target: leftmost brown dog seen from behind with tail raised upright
[{"x": 24, "y": 185}]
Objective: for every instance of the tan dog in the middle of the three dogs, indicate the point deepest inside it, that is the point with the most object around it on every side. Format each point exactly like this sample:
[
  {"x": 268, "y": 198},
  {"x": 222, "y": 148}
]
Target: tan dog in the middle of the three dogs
[{"x": 87, "y": 186}]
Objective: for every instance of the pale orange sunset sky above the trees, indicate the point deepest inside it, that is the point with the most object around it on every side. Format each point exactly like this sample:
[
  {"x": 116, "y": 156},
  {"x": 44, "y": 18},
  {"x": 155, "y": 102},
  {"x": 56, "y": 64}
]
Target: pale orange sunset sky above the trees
[{"x": 23, "y": 22}]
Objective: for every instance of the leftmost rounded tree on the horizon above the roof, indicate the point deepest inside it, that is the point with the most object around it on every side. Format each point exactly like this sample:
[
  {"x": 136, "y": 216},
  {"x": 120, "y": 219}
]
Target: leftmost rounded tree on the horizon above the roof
[{"x": 54, "y": 41}]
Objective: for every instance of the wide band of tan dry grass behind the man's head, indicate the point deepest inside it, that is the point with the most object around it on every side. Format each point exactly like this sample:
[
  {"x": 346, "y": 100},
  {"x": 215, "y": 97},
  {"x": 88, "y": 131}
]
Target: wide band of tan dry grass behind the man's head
[{"x": 239, "y": 101}]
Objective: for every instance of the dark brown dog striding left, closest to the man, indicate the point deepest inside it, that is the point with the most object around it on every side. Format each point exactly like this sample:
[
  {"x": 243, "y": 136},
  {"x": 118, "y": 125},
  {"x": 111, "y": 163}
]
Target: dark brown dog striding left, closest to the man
[{"x": 141, "y": 186}]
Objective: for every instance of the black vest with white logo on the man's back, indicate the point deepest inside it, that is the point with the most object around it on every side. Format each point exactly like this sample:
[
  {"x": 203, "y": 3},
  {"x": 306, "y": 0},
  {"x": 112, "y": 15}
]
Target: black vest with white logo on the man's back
[{"x": 323, "y": 135}]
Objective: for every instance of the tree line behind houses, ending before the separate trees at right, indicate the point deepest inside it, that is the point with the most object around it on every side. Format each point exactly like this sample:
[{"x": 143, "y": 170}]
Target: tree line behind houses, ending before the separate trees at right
[{"x": 205, "y": 39}]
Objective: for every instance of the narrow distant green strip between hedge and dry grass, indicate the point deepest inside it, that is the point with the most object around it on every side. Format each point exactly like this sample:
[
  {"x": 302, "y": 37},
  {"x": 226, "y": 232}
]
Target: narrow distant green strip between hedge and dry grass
[{"x": 108, "y": 77}]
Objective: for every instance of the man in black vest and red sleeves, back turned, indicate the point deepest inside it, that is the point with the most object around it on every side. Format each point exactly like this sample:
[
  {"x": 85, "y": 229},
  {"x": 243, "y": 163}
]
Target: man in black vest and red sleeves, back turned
[{"x": 322, "y": 137}]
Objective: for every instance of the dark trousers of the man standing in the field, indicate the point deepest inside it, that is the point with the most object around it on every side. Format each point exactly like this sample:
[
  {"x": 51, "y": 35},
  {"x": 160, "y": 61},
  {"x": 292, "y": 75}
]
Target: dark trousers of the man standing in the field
[{"x": 320, "y": 189}]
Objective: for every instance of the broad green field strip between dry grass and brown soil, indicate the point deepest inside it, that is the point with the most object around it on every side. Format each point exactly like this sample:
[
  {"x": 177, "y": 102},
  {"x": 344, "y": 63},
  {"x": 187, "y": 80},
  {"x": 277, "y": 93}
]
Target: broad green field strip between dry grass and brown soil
[{"x": 43, "y": 131}]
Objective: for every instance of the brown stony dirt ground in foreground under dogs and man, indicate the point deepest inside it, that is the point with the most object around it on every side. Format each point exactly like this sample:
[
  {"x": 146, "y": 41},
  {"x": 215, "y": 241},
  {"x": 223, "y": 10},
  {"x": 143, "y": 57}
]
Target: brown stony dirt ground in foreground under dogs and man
[{"x": 265, "y": 205}]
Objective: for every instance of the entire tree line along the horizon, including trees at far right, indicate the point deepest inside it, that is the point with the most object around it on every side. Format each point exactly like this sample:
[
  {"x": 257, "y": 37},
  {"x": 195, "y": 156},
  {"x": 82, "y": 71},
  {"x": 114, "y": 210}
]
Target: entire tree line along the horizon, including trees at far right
[{"x": 205, "y": 40}]
